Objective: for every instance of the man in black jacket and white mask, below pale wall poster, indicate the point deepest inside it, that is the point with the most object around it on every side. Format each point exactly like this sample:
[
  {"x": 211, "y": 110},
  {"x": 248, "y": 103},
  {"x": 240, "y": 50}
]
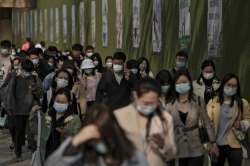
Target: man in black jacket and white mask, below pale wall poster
[{"x": 114, "y": 89}]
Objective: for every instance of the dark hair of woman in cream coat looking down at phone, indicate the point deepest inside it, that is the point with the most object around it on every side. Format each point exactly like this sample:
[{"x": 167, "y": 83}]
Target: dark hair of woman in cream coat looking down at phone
[{"x": 144, "y": 86}]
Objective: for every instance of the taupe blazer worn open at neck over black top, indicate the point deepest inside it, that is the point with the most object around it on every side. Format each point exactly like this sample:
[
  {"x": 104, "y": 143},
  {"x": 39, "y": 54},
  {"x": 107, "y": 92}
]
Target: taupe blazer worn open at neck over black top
[{"x": 187, "y": 136}]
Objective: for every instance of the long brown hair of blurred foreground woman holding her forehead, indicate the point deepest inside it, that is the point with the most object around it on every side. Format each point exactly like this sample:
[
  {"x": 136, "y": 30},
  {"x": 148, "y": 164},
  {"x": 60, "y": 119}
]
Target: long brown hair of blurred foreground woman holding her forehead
[{"x": 120, "y": 147}]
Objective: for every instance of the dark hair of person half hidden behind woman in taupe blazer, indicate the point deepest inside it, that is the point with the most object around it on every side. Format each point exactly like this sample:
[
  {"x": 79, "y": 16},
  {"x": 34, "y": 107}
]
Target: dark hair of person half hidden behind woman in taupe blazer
[{"x": 164, "y": 76}]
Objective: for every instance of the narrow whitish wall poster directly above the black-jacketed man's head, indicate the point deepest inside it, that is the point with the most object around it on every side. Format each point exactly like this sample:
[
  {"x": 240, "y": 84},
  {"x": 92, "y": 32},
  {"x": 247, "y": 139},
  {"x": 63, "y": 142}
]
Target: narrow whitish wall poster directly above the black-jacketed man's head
[{"x": 119, "y": 23}]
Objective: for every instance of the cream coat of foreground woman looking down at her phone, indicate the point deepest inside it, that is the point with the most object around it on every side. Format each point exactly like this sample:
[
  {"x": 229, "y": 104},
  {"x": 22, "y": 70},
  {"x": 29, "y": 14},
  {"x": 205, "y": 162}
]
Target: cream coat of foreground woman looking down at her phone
[{"x": 135, "y": 127}]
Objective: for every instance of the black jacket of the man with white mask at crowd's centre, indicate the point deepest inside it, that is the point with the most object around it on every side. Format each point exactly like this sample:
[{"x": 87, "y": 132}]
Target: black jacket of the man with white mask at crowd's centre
[{"x": 110, "y": 92}]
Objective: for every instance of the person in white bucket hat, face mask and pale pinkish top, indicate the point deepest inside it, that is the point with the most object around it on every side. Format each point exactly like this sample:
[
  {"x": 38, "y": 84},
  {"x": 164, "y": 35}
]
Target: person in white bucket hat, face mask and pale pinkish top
[{"x": 89, "y": 81}]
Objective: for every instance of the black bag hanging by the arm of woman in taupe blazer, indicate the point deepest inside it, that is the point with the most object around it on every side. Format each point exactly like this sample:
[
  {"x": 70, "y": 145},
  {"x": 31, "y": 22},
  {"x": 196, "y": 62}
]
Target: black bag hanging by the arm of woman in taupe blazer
[{"x": 202, "y": 129}]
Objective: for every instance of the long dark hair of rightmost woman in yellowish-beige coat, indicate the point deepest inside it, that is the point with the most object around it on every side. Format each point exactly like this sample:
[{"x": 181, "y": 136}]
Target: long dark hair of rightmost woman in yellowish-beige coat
[{"x": 236, "y": 97}]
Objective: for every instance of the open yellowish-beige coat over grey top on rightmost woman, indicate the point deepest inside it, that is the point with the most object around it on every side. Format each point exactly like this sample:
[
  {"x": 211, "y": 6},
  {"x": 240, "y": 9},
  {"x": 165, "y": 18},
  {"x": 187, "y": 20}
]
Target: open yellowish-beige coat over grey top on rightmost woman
[{"x": 214, "y": 108}]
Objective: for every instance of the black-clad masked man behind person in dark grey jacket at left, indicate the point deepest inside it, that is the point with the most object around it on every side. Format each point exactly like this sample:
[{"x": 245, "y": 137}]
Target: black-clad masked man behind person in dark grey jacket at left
[{"x": 41, "y": 66}]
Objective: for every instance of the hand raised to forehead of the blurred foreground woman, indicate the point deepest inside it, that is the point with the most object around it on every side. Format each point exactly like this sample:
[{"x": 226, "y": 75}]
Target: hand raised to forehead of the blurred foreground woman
[{"x": 87, "y": 133}]
